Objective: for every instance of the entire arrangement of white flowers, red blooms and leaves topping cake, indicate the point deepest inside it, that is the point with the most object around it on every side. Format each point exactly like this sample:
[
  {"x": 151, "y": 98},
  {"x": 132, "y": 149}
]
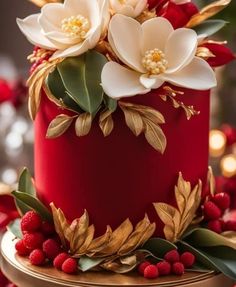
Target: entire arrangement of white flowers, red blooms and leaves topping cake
[{"x": 89, "y": 55}]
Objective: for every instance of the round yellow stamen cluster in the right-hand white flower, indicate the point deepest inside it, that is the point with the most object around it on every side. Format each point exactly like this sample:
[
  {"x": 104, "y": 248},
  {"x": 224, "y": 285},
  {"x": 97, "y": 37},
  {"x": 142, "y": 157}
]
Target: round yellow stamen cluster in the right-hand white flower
[{"x": 154, "y": 61}]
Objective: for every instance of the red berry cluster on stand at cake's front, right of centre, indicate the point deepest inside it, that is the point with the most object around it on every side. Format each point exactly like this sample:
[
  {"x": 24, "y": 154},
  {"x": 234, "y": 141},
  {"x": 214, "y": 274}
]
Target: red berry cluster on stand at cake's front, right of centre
[{"x": 173, "y": 263}]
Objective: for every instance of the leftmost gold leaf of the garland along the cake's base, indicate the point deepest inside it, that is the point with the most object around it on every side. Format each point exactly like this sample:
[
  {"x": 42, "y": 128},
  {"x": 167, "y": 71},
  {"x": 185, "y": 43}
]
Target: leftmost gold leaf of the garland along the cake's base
[{"x": 60, "y": 223}]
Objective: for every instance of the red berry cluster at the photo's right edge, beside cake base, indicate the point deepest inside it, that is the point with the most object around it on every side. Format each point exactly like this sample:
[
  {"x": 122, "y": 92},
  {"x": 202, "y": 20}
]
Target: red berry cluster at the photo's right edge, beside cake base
[{"x": 214, "y": 209}]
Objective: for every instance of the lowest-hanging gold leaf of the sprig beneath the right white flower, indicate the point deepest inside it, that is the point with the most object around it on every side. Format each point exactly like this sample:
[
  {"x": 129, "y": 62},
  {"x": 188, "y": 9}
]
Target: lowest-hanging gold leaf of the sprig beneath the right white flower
[{"x": 155, "y": 136}]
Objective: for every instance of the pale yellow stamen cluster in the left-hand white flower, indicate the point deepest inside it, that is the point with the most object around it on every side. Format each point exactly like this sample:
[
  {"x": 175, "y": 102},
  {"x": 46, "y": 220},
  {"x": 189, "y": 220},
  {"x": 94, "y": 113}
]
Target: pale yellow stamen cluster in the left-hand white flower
[{"x": 76, "y": 26}]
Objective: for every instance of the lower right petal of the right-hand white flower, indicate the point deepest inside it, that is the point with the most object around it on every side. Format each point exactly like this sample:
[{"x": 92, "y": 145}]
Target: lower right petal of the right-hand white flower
[{"x": 198, "y": 75}]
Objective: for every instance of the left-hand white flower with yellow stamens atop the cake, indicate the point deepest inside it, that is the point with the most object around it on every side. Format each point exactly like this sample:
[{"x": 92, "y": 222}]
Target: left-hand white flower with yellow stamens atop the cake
[{"x": 70, "y": 29}]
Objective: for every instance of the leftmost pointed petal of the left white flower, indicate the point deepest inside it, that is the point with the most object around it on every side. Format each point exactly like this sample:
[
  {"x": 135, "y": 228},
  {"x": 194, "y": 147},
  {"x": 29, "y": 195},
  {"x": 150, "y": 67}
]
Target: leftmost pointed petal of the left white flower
[{"x": 32, "y": 30}]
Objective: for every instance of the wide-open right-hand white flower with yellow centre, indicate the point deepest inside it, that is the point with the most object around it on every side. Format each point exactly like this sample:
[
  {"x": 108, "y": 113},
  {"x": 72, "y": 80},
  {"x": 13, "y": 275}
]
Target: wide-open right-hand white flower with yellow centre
[{"x": 153, "y": 53}]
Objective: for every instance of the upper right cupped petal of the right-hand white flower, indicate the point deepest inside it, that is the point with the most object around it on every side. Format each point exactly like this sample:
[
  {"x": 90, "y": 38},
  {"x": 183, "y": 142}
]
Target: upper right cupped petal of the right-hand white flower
[{"x": 180, "y": 49}]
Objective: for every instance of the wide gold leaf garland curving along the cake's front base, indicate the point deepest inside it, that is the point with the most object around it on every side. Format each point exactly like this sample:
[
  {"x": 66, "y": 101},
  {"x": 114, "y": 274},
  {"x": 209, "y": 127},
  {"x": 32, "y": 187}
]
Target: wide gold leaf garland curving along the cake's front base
[{"x": 120, "y": 242}]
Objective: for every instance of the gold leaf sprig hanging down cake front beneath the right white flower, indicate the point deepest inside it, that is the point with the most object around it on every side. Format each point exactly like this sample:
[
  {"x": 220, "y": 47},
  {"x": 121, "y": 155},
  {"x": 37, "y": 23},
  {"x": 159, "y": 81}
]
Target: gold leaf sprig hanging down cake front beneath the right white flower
[{"x": 143, "y": 119}]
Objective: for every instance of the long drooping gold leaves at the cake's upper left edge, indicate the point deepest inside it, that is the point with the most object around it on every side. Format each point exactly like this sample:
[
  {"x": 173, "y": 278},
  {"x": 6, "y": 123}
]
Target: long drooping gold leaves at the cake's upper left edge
[{"x": 35, "y": 84}]
